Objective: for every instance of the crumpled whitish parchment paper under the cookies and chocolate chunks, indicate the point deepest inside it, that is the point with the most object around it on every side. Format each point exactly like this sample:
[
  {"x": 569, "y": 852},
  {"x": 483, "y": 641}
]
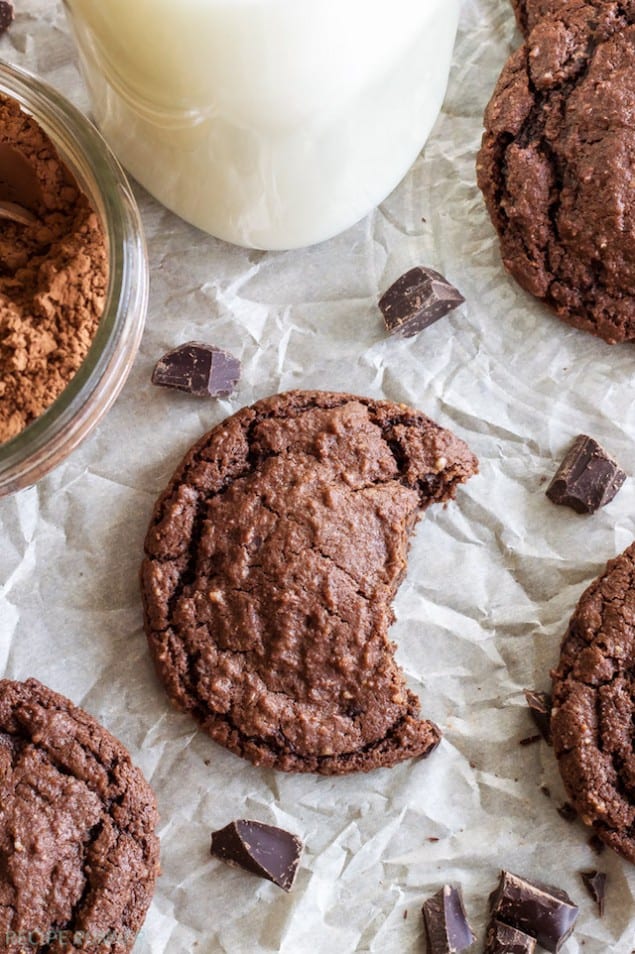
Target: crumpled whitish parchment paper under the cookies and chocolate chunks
[{"x": 492, "y": 579}]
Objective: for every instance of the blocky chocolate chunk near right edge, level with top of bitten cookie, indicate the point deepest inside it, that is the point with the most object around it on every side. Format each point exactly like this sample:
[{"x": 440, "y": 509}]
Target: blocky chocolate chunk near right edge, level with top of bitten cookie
[{"x": 587, "y": 479}]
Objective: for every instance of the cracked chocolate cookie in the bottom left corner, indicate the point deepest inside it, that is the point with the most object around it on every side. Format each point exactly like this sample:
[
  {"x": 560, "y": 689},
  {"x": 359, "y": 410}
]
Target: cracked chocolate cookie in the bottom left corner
[{"x": 78, "y": 850}]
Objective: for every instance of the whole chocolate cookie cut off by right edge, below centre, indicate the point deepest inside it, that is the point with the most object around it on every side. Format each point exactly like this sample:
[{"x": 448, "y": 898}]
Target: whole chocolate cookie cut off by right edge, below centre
[{"x": 594, "y": 706}]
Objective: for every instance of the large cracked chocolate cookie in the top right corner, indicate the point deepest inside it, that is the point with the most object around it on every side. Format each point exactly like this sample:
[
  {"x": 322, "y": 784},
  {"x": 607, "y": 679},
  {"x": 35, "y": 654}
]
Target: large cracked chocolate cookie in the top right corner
[{"x": 555, "y": 165}]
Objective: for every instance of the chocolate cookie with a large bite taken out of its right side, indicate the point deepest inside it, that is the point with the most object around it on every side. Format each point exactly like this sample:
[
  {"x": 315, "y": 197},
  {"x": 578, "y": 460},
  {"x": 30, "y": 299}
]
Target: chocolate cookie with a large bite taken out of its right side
[{"x": 271, "y": 562}]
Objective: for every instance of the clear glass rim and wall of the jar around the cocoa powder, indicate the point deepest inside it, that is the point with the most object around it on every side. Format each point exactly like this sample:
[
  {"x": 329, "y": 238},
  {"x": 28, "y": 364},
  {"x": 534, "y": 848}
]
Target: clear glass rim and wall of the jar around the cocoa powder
[{"x": 51, "y": 437}]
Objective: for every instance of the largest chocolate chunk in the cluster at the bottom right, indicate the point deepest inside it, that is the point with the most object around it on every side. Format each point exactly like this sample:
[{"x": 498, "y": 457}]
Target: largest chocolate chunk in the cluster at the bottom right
[{"x": 545, "y": 912}]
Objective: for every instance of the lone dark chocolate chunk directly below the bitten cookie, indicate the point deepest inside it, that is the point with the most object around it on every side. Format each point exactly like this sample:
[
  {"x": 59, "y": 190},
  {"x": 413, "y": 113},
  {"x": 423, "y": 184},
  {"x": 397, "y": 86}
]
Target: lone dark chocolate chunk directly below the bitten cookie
[{"x": 269, "y": 852}]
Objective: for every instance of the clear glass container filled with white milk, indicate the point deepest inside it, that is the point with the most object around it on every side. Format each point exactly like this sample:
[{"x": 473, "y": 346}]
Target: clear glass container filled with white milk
[{"x": 268, "y": 123}]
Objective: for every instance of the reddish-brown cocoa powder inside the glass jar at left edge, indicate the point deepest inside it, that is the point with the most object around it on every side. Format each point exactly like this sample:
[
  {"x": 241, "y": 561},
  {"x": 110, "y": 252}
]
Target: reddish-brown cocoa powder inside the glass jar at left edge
[{"x": 53, "y": 273}]
